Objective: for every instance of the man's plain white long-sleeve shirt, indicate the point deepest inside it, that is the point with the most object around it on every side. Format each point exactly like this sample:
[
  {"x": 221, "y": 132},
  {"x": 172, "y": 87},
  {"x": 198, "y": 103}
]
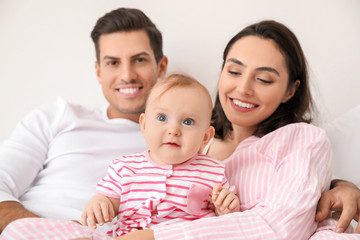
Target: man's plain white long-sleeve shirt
[{"x": 54, "y": 158}]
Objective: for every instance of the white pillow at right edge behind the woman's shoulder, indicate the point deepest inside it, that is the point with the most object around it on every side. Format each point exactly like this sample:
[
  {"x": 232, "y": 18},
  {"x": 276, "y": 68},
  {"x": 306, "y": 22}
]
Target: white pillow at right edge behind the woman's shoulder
[{"x": 344, "y": 134}]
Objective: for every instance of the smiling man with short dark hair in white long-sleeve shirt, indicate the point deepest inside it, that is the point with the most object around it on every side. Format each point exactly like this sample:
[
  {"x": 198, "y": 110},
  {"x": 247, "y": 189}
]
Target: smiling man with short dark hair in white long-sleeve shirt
[{"x": 50, "y": 165}]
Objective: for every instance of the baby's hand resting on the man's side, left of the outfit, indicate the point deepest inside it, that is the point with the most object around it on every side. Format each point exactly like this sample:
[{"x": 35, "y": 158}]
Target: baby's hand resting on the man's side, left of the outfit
[{"x": 98, "y": 210}]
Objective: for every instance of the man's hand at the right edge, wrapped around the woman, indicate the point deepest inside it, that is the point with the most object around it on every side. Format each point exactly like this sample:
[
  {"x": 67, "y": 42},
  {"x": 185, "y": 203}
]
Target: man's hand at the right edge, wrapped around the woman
[{"x": 344, "y": 197}]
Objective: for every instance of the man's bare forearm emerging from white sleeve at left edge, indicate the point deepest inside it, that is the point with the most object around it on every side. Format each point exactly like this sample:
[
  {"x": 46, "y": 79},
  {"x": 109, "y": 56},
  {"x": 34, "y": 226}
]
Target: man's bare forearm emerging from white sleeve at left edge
[{"x": 10, "y": 211}]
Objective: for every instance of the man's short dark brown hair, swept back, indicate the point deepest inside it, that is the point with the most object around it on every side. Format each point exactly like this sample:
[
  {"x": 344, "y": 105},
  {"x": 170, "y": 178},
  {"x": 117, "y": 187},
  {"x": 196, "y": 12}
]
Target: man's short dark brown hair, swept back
[{"x": 126, "y": 20}]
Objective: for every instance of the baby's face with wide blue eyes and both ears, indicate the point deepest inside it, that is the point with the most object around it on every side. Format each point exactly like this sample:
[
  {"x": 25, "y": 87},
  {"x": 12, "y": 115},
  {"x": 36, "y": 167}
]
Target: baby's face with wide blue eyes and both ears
[{"x": 176, "y": 124}]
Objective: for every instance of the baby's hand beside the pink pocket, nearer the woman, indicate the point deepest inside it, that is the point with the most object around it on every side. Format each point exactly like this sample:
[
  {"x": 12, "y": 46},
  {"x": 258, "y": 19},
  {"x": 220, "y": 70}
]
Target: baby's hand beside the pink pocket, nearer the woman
[{"x": 224, "y": 200}]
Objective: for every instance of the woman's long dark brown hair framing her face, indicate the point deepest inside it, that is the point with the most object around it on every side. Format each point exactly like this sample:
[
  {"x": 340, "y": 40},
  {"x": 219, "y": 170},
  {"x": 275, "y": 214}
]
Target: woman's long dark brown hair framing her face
[{"x": 300, "y": 107}]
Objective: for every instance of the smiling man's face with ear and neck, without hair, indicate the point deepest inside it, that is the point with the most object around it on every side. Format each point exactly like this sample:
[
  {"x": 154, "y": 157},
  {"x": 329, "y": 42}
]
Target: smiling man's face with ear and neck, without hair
[{"x": 127, "y": 70}]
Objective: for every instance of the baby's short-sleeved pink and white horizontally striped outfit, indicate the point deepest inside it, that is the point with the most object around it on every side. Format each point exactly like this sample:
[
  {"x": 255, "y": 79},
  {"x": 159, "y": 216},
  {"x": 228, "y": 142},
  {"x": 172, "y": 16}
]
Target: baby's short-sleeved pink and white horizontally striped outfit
[{"x": 151, "y": 194}]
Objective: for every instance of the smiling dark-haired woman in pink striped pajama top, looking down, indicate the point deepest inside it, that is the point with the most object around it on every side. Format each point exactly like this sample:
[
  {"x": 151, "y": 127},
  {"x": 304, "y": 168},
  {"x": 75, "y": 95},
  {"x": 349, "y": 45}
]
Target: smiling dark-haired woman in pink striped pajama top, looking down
[{"x": 278, "y": 162}]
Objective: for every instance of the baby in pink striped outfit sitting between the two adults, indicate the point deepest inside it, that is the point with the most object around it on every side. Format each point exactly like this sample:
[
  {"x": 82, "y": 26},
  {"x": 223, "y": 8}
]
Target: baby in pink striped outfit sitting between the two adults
[{"x": 171, "y": 181}]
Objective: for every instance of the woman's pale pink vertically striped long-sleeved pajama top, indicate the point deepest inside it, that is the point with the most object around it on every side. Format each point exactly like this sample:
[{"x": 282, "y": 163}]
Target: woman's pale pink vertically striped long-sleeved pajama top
[{"x": 279, "y": 179}]
